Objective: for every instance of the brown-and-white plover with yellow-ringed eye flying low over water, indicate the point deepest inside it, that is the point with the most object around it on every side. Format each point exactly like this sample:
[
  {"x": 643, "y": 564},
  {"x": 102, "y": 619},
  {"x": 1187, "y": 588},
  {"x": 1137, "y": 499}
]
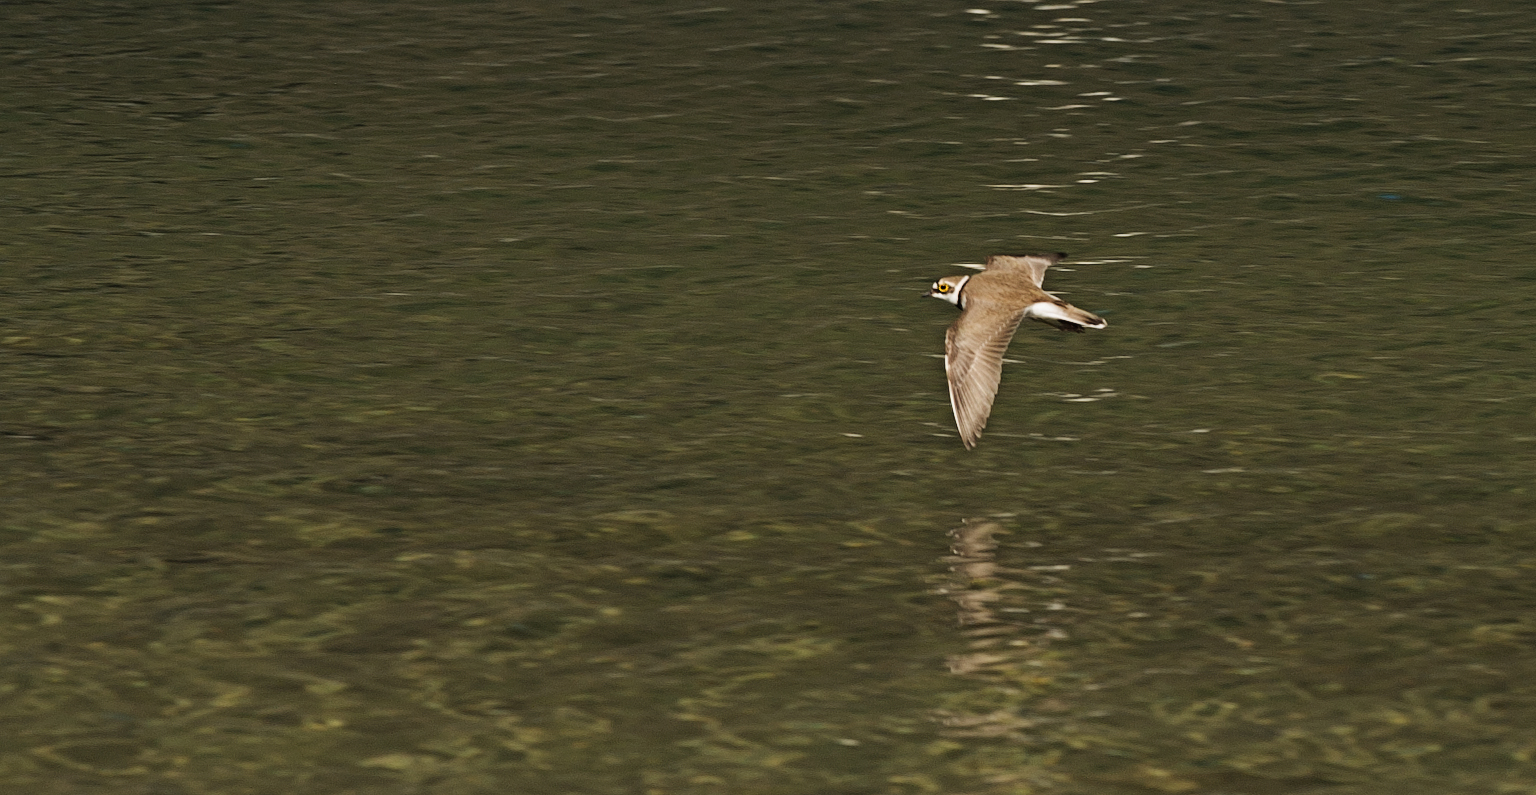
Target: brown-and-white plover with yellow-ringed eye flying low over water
[{"x": 993, "y": 303}]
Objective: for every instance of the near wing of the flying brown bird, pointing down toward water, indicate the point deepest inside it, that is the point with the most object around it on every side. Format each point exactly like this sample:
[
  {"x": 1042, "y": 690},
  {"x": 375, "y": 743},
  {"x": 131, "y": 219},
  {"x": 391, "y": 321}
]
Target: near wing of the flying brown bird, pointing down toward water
[{"x": 975, "y": 365}]
